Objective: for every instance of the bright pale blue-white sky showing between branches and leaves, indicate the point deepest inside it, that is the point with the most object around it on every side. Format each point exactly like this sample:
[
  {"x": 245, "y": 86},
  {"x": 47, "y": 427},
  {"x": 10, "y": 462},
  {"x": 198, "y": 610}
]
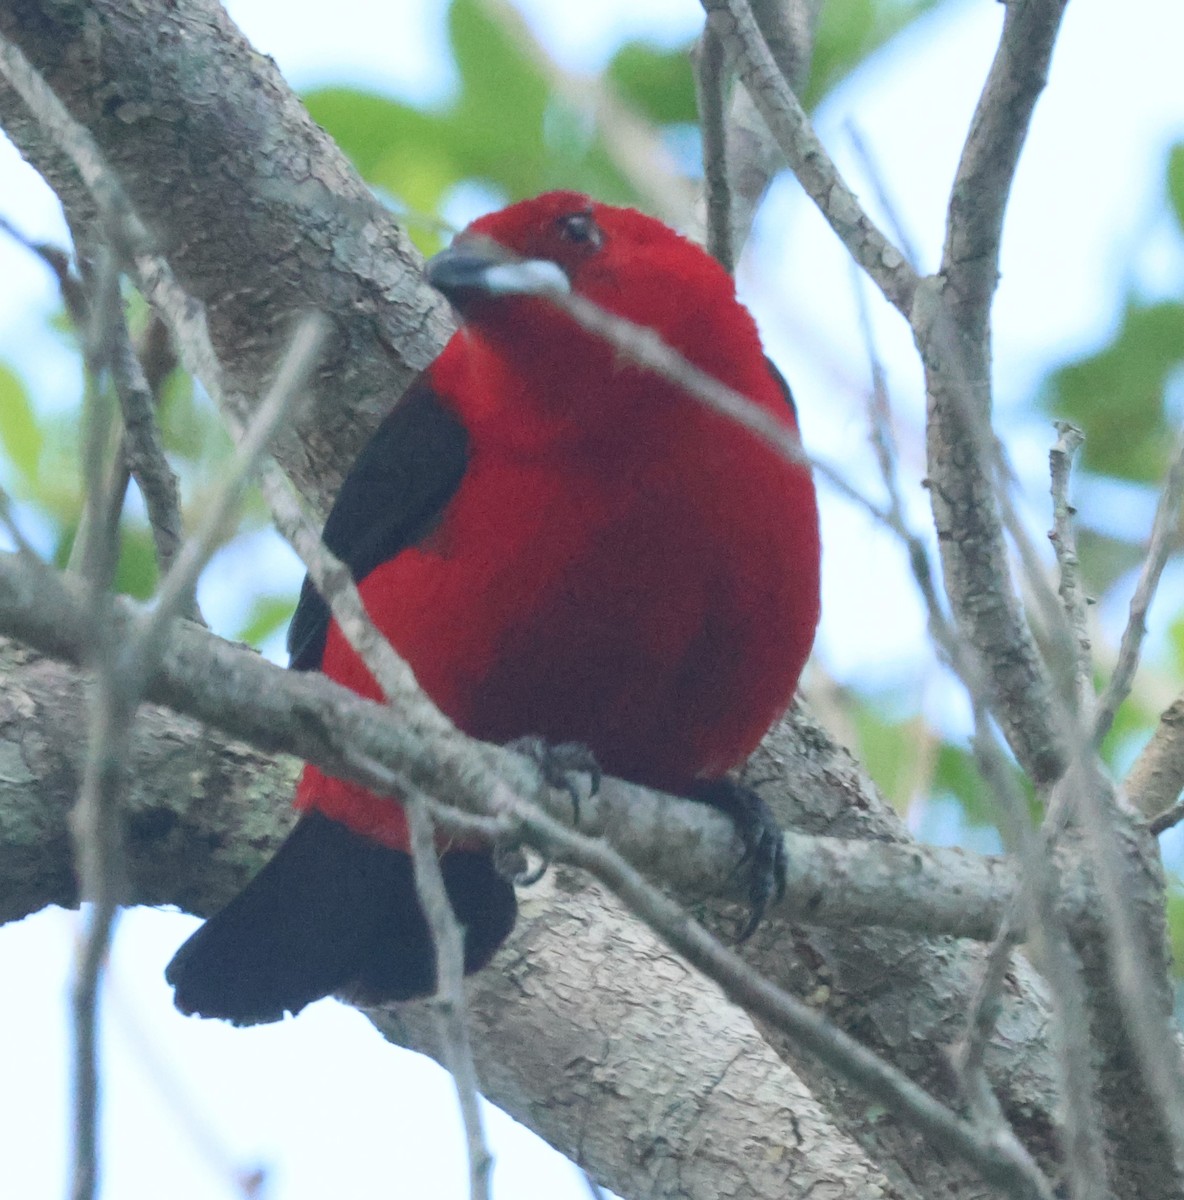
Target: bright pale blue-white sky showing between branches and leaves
[{"x": 322, "y": 1101}]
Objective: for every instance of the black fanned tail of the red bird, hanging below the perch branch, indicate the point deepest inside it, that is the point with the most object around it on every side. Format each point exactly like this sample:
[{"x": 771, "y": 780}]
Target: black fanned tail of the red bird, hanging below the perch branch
[{"x": 334, "y": 913}]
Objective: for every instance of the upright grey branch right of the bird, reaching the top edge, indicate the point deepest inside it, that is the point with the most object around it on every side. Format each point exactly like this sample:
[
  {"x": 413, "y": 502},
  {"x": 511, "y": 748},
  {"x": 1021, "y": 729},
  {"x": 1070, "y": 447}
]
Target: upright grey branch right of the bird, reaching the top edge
[{"x": 951, "y": 323}]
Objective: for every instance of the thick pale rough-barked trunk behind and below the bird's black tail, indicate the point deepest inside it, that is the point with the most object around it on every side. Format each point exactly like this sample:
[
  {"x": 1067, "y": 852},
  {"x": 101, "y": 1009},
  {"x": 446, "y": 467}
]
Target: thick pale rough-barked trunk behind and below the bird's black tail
[{"x": 561, "y": 1043}]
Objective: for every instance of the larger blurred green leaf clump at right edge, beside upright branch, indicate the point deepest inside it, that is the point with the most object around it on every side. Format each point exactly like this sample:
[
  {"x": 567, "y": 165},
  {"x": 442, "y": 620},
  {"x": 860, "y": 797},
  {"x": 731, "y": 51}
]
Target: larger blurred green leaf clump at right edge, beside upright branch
[{"x": 1117, "y": 395}]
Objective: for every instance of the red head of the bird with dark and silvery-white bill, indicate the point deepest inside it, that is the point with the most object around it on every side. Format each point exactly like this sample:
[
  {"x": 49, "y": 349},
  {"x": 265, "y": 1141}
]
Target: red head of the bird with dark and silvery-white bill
[{"x": 510, "y": 273}]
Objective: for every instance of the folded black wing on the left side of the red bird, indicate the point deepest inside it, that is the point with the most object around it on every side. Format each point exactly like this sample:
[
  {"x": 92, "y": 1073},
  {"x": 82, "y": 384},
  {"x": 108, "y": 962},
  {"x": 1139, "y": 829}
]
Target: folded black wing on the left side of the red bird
[{"x": 393, "y": 496}]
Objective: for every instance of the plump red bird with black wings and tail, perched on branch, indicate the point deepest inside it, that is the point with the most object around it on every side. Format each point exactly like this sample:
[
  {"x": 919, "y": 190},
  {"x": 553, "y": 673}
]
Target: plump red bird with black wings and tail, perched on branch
[{"x": 561, "y": 545}]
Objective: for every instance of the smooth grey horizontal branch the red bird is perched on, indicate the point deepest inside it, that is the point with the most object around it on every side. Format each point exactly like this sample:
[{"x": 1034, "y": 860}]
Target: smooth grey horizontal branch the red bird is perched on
[{"x": 694, "y": 849}]
